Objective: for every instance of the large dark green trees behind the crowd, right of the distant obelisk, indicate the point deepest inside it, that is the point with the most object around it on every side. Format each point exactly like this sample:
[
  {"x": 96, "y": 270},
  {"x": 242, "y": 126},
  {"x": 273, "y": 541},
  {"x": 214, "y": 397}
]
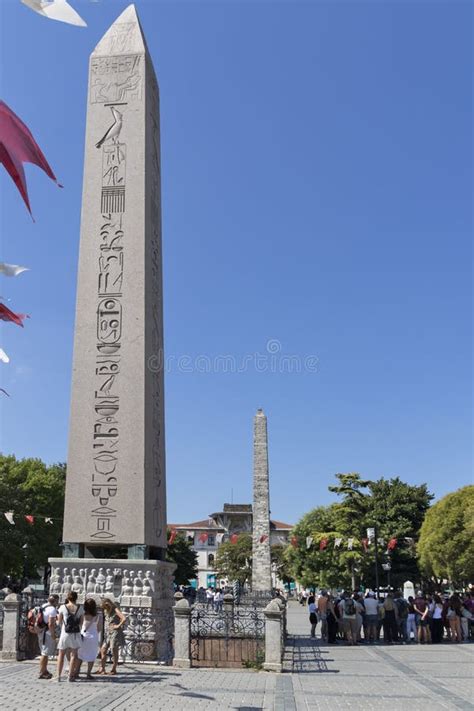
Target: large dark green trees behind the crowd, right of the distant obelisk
[{"x": 394, "y": 507}]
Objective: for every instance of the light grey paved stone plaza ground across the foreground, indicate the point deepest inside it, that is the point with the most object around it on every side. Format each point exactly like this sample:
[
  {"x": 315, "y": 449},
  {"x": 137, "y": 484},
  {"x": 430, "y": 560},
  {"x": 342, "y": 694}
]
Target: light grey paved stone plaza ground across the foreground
[{"x": 317, "y": 678}]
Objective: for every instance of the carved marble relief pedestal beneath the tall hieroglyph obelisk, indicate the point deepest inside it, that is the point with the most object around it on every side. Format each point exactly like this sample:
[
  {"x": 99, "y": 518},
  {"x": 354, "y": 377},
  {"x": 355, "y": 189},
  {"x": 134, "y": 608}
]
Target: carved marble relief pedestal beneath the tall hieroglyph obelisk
[{"x": 142, "y": 588}]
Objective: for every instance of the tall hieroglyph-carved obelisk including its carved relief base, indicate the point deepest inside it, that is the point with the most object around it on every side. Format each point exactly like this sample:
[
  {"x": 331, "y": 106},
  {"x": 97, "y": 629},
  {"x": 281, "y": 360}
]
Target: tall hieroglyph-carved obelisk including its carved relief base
[{"x": 115, "y": 504}]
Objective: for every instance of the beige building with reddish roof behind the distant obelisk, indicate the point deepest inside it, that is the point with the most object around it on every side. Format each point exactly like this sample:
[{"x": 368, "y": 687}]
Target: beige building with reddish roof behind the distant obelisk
[{"x": 207, "y": 535}]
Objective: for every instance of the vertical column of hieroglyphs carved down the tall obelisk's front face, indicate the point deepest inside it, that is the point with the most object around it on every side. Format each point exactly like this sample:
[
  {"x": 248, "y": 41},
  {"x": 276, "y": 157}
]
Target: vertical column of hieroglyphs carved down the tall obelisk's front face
[{"x": 110, "y": 261}]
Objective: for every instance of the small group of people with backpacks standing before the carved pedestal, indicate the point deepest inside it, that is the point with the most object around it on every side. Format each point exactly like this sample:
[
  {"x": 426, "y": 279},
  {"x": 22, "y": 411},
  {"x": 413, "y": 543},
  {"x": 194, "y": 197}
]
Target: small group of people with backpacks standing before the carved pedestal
[{"x": 71, "y": 632}]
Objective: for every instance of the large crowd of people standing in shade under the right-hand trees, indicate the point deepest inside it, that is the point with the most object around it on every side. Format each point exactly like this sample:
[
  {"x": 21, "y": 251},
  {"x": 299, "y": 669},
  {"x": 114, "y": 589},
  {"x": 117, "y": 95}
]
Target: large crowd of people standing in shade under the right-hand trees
[{"x": 425, "y": 619}]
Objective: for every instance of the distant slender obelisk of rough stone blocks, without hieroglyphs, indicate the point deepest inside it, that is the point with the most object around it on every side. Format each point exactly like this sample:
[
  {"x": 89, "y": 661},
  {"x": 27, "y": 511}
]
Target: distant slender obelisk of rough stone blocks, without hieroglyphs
[{"x": 261, "y": 565}]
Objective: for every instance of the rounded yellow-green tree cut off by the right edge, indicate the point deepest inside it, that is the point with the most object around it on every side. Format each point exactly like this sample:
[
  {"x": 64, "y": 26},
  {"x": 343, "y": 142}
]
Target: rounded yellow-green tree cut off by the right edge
[{"x": 445, "y": 546}]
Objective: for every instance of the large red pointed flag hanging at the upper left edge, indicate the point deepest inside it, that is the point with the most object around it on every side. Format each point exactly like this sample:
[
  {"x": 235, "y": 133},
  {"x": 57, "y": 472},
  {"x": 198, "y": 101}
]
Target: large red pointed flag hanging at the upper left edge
[{"x": 17, "y": 146}]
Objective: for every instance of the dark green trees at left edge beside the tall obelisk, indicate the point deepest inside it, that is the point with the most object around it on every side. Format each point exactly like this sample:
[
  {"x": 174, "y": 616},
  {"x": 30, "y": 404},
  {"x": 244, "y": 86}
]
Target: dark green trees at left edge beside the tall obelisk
[{"x": 29, "y": 486}]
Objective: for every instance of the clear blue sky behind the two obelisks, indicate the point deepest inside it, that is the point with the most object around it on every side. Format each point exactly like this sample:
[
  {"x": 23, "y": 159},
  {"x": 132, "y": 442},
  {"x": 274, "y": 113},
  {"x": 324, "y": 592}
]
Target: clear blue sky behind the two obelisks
[{"x": 317, "y": 190}]
